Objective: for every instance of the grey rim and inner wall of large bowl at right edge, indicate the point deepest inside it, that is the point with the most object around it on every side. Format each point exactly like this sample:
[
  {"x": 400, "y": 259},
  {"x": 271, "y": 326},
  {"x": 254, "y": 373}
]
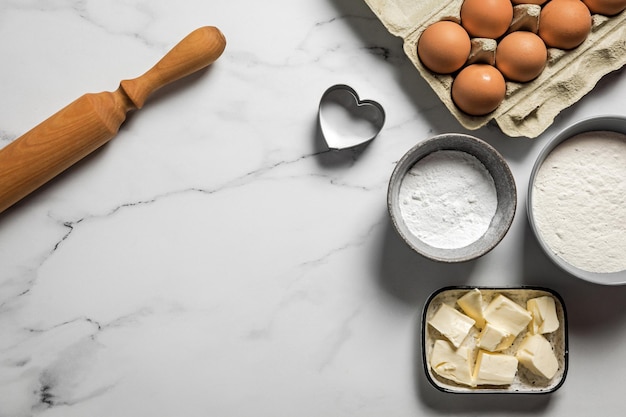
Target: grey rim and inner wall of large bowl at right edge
[{"x": 612, "y": 123}]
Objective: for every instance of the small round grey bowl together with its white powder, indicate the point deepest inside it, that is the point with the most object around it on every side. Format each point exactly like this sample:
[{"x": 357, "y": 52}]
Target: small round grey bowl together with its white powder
[{"x": 452, "y": 198}]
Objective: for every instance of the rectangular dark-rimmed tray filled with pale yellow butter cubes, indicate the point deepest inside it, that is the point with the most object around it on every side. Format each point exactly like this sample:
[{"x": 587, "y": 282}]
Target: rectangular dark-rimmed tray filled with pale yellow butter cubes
[{"x": 495, "y": 340}]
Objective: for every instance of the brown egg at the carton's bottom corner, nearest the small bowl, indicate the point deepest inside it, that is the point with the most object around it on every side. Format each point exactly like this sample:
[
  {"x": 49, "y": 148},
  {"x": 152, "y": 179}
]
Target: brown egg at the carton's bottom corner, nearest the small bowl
[{"x": 478, "y": 89}]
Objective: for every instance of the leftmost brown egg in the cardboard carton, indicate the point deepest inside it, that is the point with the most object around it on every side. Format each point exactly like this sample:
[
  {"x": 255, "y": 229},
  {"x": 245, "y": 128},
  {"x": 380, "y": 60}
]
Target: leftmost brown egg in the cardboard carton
[{"x": 444, "y": 47}]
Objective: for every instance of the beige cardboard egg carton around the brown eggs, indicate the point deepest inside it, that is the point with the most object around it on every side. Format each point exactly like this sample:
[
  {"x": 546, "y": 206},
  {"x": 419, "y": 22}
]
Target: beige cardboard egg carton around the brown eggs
[{"x": 528, "y": 108}]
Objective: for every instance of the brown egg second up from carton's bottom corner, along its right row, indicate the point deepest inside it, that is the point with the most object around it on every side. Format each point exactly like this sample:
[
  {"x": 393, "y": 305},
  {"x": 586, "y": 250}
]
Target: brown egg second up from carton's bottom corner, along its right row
[{"x": 521, "y": 56}]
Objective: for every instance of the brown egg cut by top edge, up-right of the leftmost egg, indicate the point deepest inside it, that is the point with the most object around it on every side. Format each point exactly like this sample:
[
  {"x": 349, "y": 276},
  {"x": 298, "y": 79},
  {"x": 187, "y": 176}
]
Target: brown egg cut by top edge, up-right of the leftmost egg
[{"x": 486, "y": 18}]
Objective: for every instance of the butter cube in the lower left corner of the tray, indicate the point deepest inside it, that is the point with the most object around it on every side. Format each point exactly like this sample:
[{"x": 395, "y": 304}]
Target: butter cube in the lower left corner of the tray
[{"x": 450, "y": 363}]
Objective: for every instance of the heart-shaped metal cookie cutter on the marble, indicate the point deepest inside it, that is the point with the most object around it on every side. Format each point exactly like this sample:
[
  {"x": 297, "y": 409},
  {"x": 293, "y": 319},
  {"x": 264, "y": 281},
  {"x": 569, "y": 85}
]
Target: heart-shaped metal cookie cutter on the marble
[{"x": 347, "y": 121}]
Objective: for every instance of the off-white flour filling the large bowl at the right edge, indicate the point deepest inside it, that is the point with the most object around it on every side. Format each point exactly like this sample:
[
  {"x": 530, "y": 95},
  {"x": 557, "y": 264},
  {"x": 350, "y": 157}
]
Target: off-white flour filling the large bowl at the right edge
[{"x": 579, "y": 201}]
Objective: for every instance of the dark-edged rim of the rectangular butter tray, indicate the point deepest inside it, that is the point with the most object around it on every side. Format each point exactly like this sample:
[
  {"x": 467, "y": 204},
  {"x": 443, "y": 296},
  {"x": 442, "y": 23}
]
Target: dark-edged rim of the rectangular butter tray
[{"x": 424, "y": 325}]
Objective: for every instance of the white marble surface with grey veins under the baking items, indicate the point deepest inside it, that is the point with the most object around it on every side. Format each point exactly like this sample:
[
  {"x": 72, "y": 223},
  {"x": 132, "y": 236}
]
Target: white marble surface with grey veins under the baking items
[{"x": 215, "y": 259}]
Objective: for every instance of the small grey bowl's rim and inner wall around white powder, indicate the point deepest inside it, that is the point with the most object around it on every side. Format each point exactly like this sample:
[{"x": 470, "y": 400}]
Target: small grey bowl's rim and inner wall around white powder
[{"x": 505, "y": 189}]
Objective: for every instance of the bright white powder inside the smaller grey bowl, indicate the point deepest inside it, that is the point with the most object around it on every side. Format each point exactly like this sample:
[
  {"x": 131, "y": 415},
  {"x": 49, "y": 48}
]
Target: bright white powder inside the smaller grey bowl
[{"x": 447, "y": 199}]
